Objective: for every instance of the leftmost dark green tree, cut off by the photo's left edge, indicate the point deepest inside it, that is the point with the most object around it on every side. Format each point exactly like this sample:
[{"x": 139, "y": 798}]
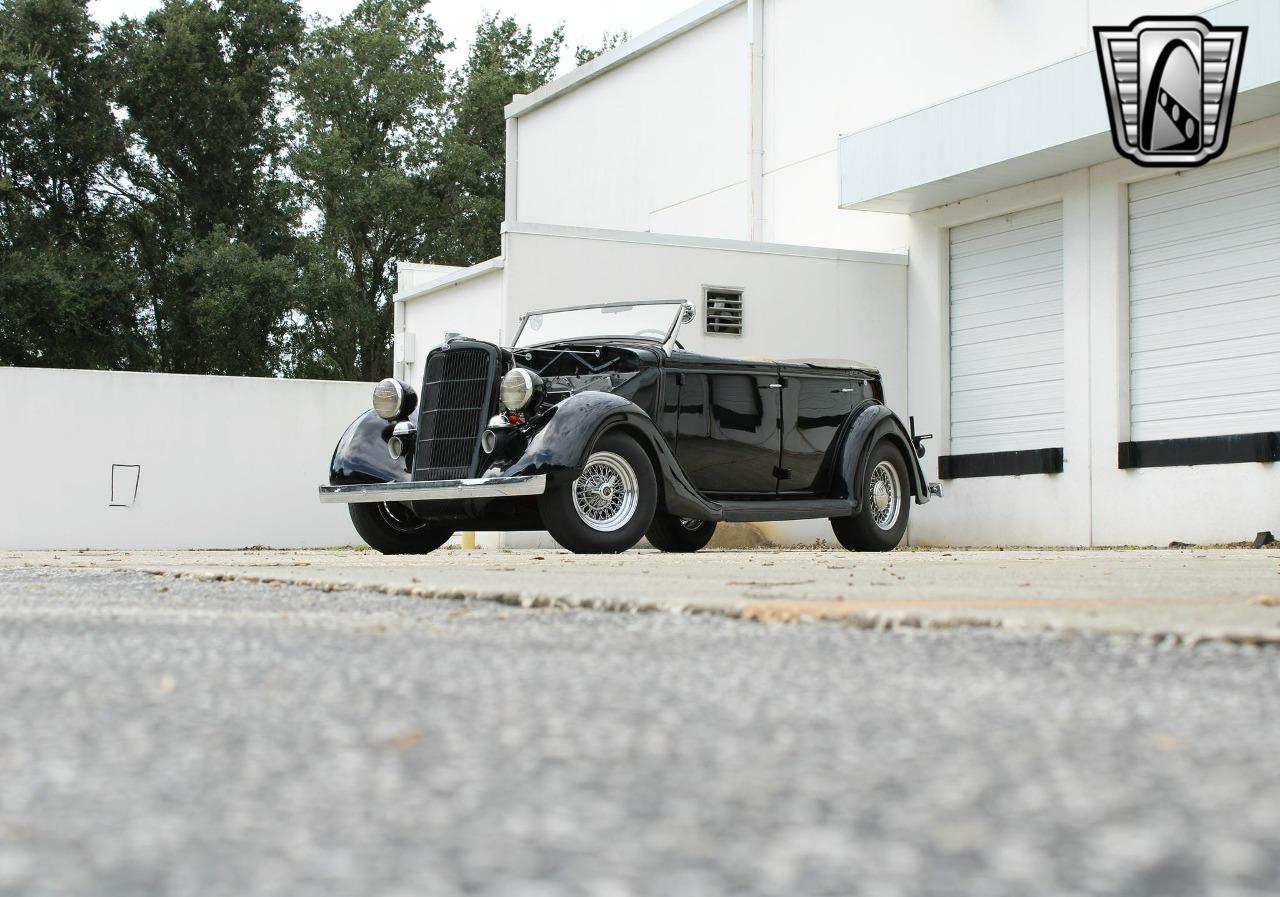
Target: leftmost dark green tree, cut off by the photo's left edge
[{"x": 65, "y": 277}]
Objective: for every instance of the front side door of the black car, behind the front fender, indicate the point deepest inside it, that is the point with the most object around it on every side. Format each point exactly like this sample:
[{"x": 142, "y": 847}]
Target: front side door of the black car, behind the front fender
[{"x": 728, "y": 432}]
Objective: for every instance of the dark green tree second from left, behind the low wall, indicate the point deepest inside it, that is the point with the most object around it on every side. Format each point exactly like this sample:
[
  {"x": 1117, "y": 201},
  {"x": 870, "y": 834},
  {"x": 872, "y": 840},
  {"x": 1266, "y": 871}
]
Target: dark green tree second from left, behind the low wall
[{"x": 208, "y": 204}]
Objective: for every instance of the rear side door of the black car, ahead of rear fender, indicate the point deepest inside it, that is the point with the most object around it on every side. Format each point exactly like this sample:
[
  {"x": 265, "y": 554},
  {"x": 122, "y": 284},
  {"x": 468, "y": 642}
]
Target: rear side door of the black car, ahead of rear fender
[{"x": 816, "y": 404}]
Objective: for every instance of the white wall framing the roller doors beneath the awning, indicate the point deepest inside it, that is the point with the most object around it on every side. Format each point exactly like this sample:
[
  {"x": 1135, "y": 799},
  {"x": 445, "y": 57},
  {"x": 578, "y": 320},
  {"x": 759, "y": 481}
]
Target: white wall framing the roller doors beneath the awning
[{"x": 1092, "y": 501}]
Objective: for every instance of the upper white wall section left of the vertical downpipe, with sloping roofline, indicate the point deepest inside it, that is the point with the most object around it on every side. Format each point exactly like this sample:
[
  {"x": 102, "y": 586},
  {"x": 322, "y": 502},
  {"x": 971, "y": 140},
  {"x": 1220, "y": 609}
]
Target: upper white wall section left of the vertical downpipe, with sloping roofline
[{"x": 668, "y": 127}]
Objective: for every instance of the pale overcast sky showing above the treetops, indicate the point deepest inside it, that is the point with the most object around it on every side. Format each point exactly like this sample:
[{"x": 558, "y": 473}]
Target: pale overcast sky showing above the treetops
[{"x": 586, "y": 21}]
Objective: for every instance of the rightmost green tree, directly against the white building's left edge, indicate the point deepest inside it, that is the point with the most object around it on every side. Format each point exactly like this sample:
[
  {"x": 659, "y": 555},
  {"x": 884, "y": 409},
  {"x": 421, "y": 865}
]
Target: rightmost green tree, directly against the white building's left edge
[{"x": 505, "y": 60}]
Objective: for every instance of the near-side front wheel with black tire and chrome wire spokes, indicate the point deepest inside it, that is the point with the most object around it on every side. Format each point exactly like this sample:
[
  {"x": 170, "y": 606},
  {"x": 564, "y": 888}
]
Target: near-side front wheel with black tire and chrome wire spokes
[{"x": 618, "y": 486}]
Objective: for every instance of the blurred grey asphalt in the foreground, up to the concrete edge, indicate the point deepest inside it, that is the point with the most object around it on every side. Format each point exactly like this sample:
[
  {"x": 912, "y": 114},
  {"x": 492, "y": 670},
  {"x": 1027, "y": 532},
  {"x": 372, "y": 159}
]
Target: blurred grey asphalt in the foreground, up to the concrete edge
[{"x": 179, "y": 738}]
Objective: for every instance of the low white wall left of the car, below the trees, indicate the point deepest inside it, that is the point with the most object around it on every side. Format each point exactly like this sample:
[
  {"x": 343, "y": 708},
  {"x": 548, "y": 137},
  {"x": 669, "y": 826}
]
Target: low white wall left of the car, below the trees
[{"x": 222, "y": 463}]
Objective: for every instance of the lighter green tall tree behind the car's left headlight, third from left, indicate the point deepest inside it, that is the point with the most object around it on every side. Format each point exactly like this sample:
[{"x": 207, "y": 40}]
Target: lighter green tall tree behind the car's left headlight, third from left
[{"x": 369, "y": 99}]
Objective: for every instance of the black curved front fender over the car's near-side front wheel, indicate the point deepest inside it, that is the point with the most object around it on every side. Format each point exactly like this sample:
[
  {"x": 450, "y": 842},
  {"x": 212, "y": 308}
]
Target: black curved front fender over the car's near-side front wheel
[{"x": 561, "y": 446}]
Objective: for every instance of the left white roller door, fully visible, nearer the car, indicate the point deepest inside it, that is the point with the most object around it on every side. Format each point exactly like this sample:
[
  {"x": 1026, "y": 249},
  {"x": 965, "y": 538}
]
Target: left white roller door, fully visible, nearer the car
[{"x": 1007, "y": 333}]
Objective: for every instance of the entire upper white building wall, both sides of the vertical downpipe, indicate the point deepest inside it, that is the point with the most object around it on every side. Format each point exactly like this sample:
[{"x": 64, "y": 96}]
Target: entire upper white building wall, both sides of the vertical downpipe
[{"x": 662, "y": 143}]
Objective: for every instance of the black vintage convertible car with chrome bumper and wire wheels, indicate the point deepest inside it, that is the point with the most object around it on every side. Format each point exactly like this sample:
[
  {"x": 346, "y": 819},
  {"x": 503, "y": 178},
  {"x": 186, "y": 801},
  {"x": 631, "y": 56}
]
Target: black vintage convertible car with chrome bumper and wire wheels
[{"x": 598, "y": 427}]
